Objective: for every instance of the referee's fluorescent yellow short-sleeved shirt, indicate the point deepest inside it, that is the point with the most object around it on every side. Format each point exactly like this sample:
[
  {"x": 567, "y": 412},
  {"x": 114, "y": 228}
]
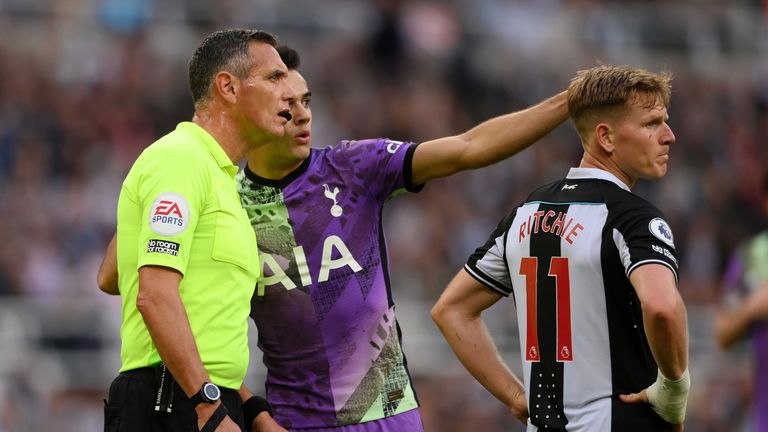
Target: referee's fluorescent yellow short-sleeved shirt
[{"x": 179, "y": 208}]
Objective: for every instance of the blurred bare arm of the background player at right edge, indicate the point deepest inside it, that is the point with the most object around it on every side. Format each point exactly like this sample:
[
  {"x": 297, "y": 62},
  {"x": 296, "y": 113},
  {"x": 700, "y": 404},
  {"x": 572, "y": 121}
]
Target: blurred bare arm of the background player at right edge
[{"x": 731, "y": 325}]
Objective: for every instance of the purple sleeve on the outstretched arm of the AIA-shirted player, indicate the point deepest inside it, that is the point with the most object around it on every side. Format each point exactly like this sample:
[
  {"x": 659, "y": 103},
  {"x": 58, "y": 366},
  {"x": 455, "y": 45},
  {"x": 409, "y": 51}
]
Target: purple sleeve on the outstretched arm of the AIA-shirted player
[{"x": 383, "y": 165}]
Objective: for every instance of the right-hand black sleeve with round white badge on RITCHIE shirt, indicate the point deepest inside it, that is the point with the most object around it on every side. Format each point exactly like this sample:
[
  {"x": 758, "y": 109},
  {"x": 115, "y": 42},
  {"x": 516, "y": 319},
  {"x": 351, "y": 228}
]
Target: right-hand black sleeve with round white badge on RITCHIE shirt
[{"x": 642, "y": 236}]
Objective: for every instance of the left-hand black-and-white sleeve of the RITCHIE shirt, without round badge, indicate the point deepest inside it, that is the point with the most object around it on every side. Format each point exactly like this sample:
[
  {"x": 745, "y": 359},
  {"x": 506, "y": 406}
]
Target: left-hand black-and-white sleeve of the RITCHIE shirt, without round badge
[{"x": 488, "y": 264}]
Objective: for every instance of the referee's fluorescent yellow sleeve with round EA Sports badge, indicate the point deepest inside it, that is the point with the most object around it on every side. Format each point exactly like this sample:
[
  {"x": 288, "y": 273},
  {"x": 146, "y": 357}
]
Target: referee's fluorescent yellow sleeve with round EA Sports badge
[{"x": 170, "y": 196}]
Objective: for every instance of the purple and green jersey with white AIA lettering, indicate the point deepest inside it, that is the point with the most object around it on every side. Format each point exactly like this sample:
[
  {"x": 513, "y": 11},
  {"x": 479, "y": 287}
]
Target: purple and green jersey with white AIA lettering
[{"x": 324, "y": 308}]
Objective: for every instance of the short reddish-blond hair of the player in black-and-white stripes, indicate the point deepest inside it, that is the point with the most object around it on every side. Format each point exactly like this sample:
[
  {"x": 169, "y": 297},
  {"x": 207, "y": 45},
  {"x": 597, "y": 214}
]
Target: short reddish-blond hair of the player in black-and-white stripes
[{"x": 603, "y": 93}]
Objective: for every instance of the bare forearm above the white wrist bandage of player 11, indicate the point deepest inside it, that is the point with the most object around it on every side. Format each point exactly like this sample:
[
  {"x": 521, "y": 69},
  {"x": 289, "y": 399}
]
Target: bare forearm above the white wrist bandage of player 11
[{"x": 668, "y": 338}]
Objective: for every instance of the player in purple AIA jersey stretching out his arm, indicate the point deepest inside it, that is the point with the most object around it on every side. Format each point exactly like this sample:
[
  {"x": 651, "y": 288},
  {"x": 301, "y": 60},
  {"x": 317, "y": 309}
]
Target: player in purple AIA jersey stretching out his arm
[{"x": 324, "y": 308}]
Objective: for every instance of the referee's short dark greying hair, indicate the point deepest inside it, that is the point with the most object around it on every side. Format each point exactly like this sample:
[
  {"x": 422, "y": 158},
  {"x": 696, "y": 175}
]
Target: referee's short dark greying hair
[{"x": 224, "y": 50}]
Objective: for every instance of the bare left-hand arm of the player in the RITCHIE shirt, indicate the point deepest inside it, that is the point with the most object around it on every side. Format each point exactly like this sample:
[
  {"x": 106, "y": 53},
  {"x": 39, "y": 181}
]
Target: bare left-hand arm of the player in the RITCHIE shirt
[{"x": 457, "y": 314}]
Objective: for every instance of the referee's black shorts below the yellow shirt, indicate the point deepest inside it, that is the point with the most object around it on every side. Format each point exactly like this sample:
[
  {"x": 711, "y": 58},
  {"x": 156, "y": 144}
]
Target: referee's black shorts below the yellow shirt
[{"x": 131, "y": 405}]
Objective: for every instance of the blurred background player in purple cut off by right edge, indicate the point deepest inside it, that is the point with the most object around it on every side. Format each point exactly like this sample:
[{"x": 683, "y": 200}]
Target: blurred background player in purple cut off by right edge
[{"x": 744, "y": 313}]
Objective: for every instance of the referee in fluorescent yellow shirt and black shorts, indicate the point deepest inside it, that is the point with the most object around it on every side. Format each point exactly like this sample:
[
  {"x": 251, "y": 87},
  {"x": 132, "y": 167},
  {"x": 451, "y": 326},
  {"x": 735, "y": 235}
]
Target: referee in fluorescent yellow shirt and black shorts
[{"x": 186, "y": 254}]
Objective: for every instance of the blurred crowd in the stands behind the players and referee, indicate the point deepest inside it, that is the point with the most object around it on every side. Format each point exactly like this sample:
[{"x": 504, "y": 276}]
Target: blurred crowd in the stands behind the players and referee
[{"x": 86, "y": 85}]
